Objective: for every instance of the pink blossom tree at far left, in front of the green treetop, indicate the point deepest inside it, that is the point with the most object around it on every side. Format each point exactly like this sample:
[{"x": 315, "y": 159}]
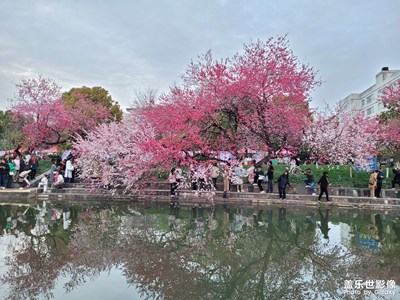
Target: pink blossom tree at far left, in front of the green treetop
[{"x": 44, "y": 117}]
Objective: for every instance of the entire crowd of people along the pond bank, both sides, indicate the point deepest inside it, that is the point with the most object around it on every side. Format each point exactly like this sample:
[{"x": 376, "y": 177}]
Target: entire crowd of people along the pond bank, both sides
[{"x": 21, "y": 168}]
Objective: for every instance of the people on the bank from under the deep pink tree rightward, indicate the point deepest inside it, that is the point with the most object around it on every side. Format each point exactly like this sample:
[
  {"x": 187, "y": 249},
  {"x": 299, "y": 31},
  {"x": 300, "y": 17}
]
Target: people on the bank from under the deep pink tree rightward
[{"x": 204, "y": 176}]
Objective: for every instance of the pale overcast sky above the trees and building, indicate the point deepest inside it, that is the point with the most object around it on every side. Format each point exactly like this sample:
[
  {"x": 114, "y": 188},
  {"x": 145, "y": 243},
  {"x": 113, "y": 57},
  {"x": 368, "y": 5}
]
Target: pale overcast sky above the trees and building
[{"x": 129, "y": 45}]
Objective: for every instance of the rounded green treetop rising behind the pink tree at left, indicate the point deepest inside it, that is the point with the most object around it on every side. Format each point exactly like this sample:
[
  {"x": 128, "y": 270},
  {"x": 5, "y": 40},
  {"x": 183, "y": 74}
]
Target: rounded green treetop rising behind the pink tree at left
[{"x": 96, "y": 94}]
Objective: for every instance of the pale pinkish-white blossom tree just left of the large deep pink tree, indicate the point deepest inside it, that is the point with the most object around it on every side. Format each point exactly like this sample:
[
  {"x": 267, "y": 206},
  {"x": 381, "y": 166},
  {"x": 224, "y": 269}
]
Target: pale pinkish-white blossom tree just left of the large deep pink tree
[{"x": 113, "y": 154}]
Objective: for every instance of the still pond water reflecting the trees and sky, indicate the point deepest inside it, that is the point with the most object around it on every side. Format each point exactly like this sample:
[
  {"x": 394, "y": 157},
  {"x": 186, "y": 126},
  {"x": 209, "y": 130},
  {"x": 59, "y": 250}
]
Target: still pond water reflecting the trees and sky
[{"x": 133, "y": 251}]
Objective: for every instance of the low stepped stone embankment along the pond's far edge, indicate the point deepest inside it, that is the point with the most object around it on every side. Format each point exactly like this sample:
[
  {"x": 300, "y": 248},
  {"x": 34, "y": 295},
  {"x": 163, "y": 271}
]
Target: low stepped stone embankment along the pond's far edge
[{"x": 159, "y": 192}]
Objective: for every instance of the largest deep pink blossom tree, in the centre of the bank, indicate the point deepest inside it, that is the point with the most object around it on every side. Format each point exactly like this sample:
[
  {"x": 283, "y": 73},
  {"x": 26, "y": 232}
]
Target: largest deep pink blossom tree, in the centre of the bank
[{"x": 257, "y": 99}]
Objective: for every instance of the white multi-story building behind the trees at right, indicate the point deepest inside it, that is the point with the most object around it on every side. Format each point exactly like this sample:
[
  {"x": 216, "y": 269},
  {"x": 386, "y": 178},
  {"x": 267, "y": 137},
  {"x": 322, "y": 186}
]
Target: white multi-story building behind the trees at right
[{"x": 367, "y": 101}]
